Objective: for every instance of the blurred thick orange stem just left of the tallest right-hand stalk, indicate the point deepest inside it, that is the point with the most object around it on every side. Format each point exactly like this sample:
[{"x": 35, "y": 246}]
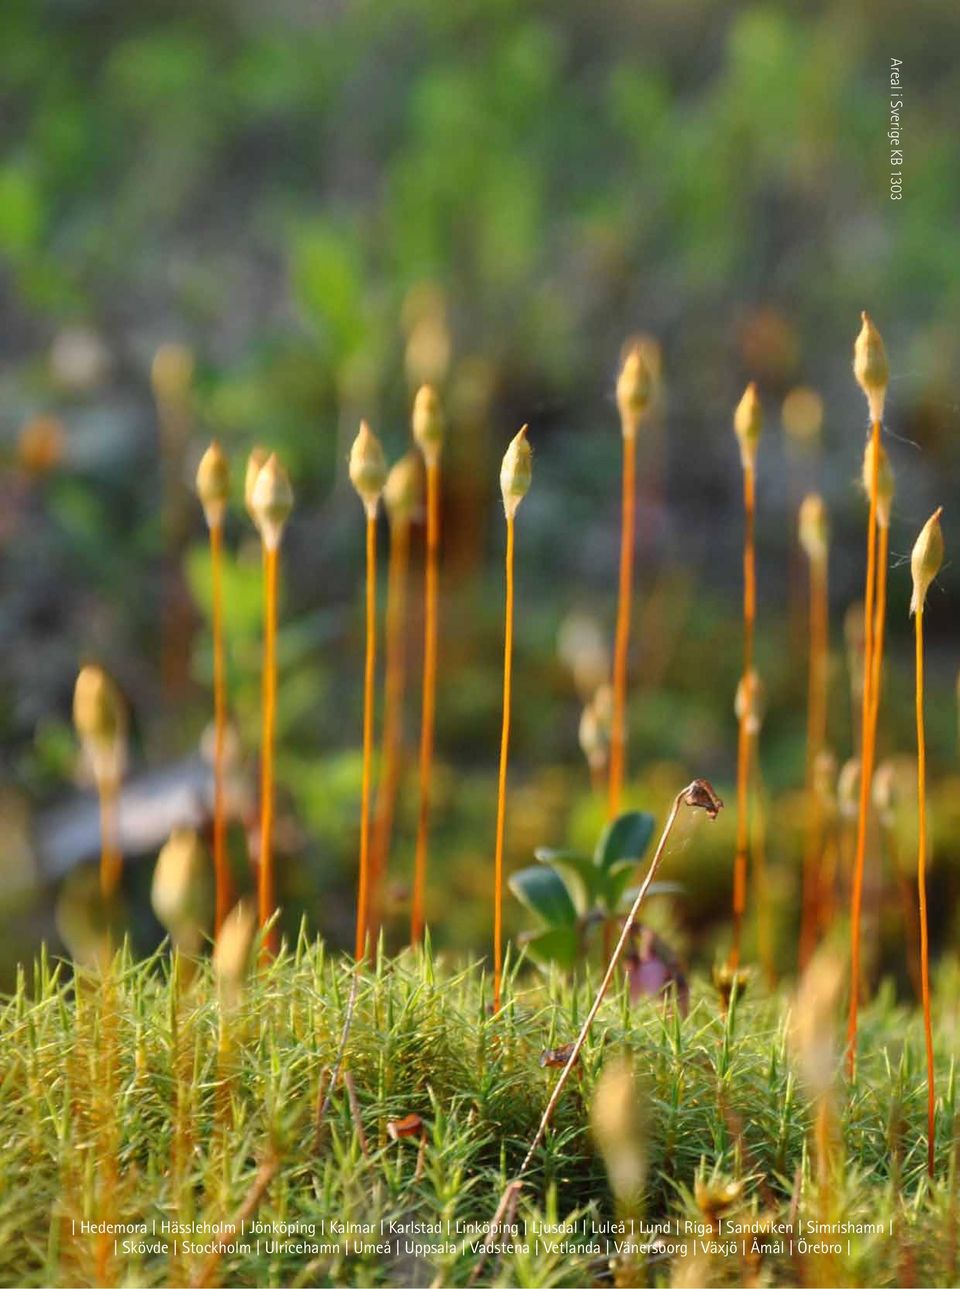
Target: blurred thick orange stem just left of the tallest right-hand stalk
[{"x": 816, "y": 741}]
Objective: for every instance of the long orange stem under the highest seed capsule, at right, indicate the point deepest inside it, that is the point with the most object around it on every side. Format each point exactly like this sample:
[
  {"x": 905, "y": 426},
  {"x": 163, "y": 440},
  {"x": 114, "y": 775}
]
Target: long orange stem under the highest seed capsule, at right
[{"x": 867, "y": 761}]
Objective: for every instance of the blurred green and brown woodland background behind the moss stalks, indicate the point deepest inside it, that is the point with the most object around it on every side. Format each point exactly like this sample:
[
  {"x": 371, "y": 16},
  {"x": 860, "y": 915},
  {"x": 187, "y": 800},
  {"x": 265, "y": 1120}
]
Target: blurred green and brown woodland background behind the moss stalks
[{"x": 328, "y": 203}]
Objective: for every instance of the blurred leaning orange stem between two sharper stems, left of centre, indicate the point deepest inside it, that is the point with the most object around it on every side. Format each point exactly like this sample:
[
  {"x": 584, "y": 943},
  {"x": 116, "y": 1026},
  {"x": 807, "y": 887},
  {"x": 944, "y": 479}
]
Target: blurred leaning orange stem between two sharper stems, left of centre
[{"x": 395, "y": 685}]
